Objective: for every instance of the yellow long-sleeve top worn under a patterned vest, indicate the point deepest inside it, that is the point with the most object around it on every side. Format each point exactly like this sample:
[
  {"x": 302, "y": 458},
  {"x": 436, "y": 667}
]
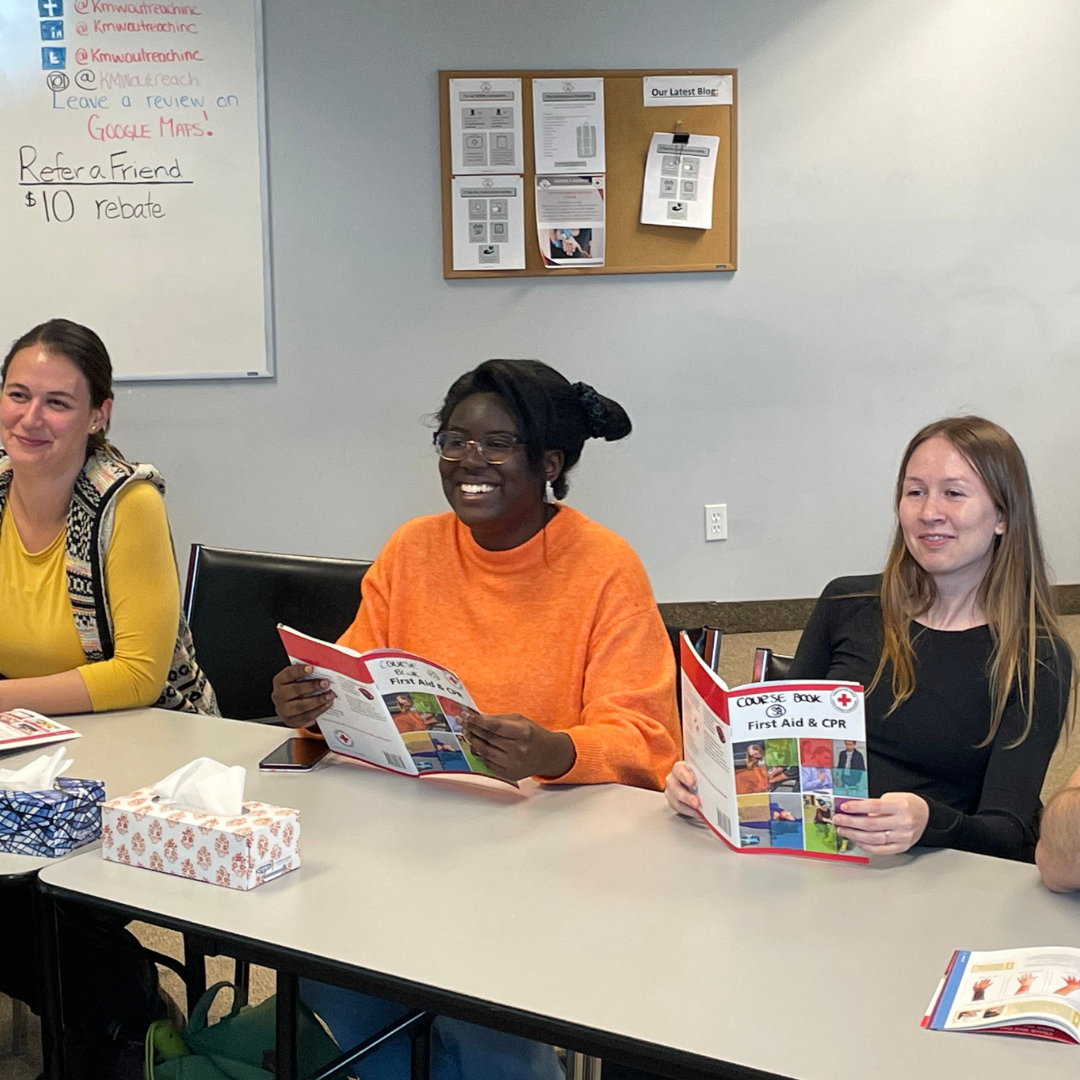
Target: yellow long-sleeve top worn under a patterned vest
[{"x": 37, "y": 632}]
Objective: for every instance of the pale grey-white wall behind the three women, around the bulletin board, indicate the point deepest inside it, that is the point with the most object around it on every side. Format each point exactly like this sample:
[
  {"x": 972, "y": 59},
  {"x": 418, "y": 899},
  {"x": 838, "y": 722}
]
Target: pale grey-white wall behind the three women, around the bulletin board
[{"x": 910, "y": 247}]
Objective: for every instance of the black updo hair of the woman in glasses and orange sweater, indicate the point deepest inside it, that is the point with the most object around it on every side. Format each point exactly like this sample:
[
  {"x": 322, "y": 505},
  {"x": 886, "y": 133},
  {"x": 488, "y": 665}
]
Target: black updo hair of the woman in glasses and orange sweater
[{"x": 551, "y": 413}]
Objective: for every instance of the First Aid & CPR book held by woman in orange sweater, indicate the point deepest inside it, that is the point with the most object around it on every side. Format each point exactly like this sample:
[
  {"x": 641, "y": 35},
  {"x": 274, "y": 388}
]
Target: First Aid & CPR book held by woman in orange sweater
[{"x": 394, "y": 709}]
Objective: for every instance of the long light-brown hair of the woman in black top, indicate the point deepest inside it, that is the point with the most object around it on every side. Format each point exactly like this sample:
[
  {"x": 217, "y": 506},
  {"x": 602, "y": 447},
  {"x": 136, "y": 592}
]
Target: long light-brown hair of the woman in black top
[{"x": 1015, "y": 595}]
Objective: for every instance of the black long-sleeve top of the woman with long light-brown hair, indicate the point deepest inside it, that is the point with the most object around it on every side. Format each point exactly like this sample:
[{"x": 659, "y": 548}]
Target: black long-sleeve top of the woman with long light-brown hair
[{"x": 983, "y": 800}]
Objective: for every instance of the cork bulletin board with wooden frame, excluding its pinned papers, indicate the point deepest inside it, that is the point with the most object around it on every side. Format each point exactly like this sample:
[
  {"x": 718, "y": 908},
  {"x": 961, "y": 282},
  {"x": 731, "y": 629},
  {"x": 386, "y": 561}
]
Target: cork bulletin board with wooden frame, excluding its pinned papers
[{"x": 632, "y": 248}]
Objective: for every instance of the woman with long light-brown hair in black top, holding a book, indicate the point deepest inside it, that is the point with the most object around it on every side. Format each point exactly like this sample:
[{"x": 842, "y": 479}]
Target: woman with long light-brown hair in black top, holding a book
[{"x": 968, "y": 679}]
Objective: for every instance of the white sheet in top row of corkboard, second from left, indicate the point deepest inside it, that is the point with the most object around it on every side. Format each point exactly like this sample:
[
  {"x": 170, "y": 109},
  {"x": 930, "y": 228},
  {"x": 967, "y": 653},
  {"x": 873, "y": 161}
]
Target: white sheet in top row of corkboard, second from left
[{"x": 569, "y": 126}]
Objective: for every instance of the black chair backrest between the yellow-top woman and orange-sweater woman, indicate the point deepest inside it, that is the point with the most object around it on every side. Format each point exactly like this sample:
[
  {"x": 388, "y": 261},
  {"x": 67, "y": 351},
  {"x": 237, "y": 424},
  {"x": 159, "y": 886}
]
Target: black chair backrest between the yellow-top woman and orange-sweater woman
[{"x": 235, "y": 602}]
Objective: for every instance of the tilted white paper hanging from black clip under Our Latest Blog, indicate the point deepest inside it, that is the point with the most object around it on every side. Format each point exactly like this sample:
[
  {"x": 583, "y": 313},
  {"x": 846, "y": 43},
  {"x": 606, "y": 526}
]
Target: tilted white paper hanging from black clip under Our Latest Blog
[{"x": 679, "y": 182}]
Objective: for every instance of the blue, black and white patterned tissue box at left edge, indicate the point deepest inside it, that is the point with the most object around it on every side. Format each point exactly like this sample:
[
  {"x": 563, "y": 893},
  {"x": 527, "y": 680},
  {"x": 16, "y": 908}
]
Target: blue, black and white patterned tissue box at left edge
[{"x": 53, "y": 822}]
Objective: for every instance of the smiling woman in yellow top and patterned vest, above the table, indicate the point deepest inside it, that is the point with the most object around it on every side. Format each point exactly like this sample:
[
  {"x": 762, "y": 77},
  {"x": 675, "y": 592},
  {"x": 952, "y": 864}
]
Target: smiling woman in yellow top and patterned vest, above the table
[{"x": 88, "y": 578}]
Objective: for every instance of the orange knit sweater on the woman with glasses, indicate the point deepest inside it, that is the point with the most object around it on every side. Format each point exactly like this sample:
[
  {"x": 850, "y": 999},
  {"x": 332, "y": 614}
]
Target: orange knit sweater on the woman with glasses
[{"x": 563, "y": 630}]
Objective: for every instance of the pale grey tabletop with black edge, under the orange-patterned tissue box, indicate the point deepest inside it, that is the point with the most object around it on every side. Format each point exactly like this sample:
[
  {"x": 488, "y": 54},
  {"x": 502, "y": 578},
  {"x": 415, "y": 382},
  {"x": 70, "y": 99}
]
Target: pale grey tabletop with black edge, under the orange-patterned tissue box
[{"x": 592, "y": 917}]
